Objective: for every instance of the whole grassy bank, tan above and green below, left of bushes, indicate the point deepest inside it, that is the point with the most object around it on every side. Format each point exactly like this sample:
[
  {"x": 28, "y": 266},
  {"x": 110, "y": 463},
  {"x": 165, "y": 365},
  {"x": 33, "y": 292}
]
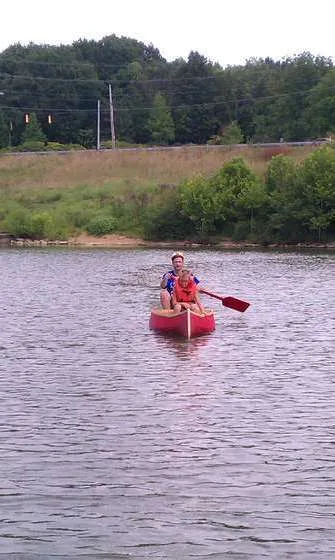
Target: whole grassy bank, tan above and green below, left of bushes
[{"x": 57, "y": 196}]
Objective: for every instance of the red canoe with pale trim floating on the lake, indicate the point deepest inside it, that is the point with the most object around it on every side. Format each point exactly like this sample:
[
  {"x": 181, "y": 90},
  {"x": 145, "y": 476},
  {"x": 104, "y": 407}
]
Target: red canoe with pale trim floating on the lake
[{"x": 186, "y": 323}]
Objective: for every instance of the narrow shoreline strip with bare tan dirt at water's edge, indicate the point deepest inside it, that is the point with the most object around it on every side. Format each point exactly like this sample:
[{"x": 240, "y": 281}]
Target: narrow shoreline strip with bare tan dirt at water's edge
[{"x": 114, "y": 241}]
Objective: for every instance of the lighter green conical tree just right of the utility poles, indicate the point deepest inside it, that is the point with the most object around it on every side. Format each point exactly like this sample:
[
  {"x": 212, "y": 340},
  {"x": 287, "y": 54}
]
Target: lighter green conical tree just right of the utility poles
[{"x": 160, "y": 122}]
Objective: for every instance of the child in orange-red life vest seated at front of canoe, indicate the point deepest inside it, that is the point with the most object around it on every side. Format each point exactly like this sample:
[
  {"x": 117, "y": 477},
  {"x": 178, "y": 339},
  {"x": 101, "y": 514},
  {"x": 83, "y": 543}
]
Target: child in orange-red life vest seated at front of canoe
[{"x": 185, "y": 294}]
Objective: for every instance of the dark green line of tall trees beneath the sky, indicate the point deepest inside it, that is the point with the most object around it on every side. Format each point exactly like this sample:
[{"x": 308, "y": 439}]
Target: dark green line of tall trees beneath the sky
[{"x": 49, "y": 94}]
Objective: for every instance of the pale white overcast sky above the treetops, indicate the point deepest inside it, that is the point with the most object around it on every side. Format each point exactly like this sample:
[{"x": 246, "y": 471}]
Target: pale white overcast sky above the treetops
[{"x": 225, "y": 31}]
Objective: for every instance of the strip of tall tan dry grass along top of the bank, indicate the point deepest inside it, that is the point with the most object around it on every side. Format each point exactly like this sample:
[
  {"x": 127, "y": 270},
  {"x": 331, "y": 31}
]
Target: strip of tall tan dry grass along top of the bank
[{"x": 100, "y": 168}]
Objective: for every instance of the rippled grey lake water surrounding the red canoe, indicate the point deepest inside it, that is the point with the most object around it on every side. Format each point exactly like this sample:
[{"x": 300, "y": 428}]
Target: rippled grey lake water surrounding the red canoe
[{"x": 119, "y": 443}]
